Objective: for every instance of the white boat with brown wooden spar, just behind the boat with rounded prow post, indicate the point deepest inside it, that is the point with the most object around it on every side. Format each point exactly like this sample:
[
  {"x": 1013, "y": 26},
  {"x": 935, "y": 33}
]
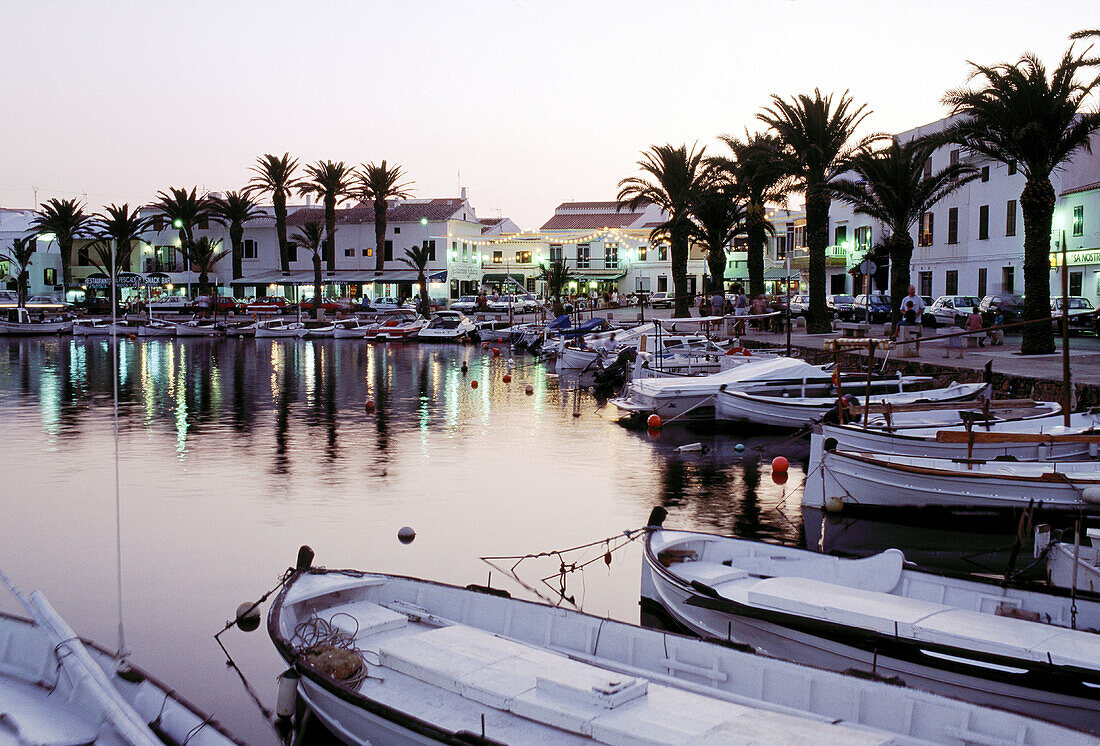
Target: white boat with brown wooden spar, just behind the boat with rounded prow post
[{"x": 1039, "y": 438}]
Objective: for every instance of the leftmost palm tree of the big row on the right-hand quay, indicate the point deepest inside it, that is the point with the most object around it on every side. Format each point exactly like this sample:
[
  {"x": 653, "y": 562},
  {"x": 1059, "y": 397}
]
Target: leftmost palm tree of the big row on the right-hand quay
[{"x": 679, "y": 178}]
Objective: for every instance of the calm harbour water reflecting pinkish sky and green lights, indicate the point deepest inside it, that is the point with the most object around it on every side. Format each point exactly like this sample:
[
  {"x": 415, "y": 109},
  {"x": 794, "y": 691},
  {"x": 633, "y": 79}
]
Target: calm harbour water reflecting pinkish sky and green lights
[{"x": 235, "y": 453}]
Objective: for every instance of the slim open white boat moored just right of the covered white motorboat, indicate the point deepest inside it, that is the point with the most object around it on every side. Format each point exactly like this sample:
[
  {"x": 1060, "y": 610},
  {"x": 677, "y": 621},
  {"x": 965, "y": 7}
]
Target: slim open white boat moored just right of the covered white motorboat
[{"x": 784, "y": 411}]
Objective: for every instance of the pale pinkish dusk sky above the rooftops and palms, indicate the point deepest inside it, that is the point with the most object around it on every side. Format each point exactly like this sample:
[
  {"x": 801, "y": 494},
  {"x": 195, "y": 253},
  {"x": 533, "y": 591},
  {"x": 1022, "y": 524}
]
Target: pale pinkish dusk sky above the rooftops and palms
[{"x": 527, "y": 104}]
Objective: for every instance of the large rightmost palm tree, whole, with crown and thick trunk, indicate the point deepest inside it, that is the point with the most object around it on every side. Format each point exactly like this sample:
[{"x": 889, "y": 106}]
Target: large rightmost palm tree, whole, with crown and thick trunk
[{"x": 1021, "y": 116}]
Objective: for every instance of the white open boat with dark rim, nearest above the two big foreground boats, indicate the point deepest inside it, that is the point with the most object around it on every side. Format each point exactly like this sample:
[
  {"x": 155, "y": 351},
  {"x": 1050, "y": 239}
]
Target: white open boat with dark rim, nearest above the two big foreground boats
[{"x": 863, "y": 480}]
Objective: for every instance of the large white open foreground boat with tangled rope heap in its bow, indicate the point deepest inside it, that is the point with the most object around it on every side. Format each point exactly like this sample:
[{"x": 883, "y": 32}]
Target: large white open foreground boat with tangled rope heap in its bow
[{"x": 463, "y": 666}]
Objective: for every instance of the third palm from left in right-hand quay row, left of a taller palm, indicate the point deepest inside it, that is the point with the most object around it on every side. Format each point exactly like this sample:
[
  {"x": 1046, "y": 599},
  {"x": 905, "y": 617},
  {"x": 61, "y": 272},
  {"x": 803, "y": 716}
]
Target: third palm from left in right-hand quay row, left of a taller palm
[{"x": 761, "y": 183}]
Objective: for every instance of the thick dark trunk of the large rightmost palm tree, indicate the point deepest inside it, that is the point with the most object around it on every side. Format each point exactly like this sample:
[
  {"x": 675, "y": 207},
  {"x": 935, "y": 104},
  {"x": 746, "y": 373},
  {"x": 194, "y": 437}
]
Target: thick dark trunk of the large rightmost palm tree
[{"x": 1038, "y": 205}]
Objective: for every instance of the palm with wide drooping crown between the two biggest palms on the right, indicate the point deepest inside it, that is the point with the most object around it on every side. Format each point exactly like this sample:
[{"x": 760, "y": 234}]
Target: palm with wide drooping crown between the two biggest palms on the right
[{"x": 893, "y": 189}]
